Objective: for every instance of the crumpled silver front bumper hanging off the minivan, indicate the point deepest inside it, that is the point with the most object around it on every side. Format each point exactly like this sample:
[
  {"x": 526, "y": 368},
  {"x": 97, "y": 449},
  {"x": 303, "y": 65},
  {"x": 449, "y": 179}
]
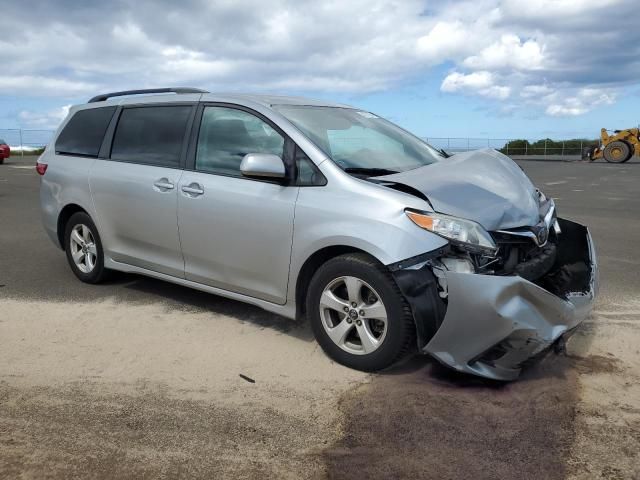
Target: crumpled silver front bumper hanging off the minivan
[{"x": 495, "y": 323}]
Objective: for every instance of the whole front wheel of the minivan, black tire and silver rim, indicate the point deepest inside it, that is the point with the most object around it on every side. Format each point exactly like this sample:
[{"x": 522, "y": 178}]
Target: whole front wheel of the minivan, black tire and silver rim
[{"x": 357, "y": 313}]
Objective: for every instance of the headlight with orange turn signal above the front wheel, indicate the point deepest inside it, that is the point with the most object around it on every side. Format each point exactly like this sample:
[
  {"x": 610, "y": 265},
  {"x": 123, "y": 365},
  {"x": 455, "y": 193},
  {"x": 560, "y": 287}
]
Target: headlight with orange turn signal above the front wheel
[{"x": 458, "y": 230}]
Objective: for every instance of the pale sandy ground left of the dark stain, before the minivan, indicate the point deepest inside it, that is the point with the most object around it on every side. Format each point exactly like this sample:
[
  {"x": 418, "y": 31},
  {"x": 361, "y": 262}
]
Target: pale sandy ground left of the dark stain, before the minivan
[{"x": 142, "y": 371}]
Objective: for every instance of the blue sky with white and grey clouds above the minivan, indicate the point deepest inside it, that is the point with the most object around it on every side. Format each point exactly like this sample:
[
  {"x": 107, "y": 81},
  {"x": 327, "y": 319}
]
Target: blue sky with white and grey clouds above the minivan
[{"x": 482, "y": 69}]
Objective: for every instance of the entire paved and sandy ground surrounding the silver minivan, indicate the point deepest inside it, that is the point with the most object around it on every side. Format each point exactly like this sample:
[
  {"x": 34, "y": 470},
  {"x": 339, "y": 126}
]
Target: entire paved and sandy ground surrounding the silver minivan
[{"x": 139, "y": 378}]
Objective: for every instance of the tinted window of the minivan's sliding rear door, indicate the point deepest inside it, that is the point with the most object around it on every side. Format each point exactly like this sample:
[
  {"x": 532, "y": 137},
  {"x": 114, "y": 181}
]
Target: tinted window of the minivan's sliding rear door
[{"x": 151, "y": 135}]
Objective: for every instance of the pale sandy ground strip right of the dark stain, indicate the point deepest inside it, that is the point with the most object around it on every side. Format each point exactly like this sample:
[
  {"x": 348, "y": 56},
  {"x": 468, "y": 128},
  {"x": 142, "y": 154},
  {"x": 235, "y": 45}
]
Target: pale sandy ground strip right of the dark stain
[{"x": 607, "y": 443}]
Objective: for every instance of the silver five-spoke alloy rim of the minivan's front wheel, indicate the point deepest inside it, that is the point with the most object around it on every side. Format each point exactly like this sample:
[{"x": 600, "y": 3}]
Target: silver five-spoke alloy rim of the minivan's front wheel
[{"x": 353, "y": 315}]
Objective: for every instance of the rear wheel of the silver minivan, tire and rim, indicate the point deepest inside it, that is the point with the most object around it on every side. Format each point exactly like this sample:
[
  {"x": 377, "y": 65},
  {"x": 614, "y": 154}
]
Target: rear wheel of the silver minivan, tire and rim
[{"x": 84, "y": 249}]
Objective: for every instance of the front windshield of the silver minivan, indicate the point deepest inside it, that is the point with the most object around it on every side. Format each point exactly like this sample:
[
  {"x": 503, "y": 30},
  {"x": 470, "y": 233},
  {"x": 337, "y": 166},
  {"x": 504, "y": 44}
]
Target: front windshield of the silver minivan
[{"x": 361, "y": 142}]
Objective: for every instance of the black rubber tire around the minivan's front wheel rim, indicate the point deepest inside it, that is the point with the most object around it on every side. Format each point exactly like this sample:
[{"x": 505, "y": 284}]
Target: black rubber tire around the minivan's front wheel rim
[{"x": 400, "y": 328}]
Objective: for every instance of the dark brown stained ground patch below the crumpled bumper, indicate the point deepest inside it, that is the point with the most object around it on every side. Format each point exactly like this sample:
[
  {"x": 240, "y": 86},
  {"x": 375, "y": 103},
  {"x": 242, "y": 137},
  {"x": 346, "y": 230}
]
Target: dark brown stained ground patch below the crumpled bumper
[{"x": 426, "y": 422}]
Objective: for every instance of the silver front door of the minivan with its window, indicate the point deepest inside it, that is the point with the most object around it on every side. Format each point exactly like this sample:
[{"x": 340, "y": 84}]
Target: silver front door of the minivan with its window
[{"x": 236, "y": 233}]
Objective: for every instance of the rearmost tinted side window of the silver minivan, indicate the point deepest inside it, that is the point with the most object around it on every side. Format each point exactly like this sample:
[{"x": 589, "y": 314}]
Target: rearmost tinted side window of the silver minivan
[{"x": 83, "y": 134}]
